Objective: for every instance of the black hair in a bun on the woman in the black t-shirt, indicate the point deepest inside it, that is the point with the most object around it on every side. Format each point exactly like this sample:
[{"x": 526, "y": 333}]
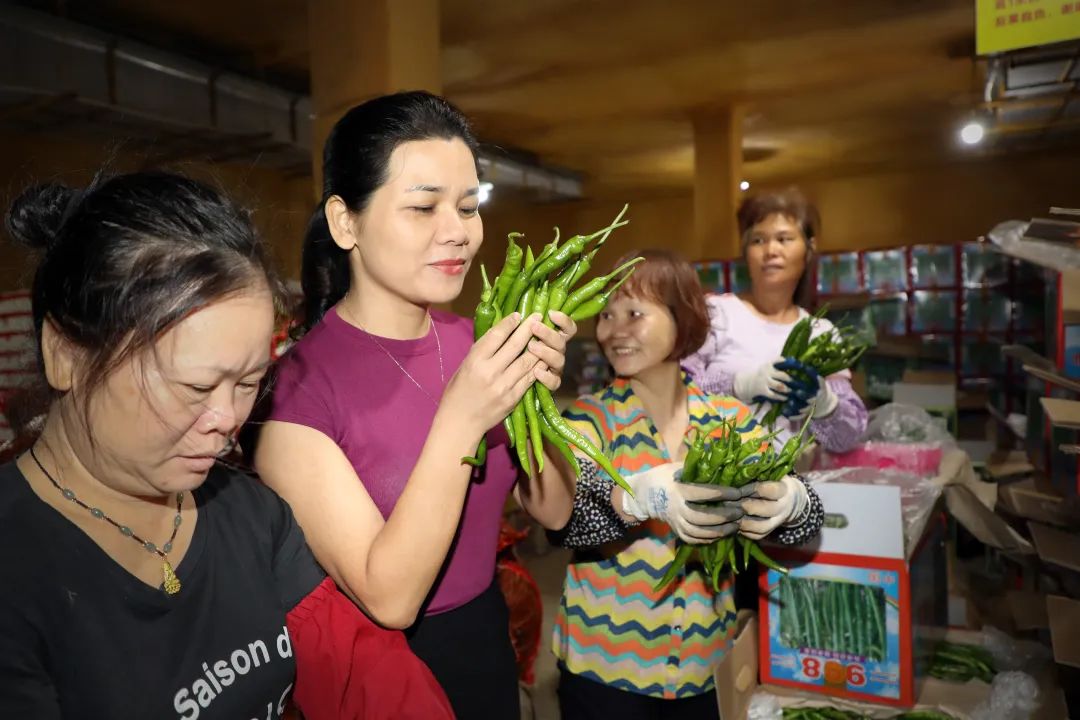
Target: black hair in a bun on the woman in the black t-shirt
[{"x": 127, "y": 259}]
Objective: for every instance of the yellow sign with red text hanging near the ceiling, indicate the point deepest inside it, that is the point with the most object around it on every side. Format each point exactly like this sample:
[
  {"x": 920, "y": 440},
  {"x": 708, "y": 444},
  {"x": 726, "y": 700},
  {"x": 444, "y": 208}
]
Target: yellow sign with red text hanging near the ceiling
[{"x": 1004, "y": 25}]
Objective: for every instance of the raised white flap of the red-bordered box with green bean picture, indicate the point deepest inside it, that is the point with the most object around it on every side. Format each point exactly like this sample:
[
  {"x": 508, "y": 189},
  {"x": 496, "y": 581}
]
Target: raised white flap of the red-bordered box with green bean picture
[{"x": 861, "y": 520}]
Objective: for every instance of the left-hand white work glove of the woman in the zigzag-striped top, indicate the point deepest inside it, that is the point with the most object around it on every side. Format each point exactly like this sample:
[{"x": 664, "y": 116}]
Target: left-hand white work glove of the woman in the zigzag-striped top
[{"x": 658, "y": 495}]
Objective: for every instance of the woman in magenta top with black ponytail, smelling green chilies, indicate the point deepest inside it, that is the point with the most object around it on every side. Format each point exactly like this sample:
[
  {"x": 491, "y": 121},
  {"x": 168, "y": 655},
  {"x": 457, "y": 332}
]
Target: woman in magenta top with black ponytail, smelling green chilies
[{"x": 376, "y": 405}]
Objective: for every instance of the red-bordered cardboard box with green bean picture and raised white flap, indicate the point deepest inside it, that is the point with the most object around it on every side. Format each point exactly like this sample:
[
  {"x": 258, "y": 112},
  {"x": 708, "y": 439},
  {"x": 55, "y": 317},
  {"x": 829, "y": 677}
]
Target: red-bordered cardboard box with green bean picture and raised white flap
[{"x": 847, "y": 620}]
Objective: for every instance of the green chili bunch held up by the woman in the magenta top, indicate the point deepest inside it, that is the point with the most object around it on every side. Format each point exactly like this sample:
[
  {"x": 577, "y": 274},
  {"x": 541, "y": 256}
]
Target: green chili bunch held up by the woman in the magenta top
[{"x": 541, "y": 286}]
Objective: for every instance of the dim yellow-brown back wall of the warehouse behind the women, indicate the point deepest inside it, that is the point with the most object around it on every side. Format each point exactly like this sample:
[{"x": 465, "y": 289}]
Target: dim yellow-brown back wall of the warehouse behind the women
[{"x": 941, "y": 205}]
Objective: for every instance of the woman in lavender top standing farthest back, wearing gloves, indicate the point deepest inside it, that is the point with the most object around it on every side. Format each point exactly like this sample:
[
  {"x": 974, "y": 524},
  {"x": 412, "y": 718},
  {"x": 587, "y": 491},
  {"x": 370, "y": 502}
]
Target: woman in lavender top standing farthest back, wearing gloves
[{"x": 748, "y": 332}]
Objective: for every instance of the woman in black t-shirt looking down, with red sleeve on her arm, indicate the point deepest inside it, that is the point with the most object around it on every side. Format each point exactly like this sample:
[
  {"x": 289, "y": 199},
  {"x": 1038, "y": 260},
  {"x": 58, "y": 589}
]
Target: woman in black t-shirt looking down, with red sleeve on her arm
[{"x": 140, "y": 578}]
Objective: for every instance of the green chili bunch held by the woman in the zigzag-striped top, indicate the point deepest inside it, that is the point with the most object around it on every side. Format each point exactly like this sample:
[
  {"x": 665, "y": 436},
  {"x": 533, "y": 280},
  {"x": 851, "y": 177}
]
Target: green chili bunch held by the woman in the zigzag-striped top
[{"x": 734, "y": 461}]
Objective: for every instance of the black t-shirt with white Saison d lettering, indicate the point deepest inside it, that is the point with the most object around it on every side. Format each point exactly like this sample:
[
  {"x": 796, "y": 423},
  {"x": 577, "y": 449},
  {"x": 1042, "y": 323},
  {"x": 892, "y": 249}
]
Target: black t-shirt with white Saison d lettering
[{"x": 80, "y": 637}]
